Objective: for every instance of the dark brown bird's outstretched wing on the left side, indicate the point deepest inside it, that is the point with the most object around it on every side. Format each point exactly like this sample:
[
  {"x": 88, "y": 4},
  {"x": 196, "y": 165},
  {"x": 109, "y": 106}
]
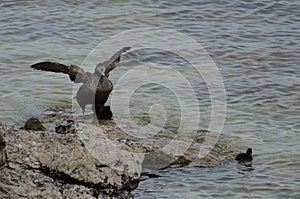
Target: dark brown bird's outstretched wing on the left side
[{"x": 76, "y": 73}]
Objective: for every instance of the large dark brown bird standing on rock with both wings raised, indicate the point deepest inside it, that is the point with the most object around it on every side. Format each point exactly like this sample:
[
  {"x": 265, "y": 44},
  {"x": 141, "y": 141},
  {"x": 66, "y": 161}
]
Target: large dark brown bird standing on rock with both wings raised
[{"x": 96, "y": 86}]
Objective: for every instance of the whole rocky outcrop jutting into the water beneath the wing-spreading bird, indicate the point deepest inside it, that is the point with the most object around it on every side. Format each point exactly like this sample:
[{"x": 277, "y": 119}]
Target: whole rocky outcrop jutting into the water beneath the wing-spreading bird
[{"x": 88, "y": 158}]
